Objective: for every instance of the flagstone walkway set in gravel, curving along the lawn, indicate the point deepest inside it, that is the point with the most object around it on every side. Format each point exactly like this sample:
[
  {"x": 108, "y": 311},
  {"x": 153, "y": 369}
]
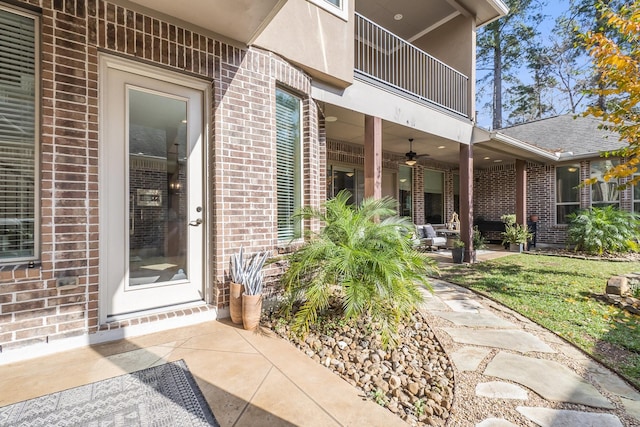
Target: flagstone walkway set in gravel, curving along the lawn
[{"x": 513, "y": 372}]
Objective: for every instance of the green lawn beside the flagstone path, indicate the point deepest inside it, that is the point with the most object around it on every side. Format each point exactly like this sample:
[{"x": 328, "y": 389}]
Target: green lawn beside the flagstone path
[{"x": 559, "y": 294}]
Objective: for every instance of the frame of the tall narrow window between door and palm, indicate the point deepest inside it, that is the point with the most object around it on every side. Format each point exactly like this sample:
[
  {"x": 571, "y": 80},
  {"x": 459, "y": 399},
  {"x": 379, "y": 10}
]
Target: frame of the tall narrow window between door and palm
[{"x": 298, "y": 173}]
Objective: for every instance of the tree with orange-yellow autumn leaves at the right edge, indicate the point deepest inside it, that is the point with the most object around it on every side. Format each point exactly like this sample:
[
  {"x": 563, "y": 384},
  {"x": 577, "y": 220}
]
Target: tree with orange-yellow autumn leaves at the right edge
[{"x": 618, "y": 64}]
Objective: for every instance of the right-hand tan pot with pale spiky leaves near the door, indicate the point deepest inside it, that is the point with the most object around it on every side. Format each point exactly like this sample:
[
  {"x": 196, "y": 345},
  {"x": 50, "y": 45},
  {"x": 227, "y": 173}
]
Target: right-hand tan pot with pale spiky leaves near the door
[{"x": 252, "y": 286}]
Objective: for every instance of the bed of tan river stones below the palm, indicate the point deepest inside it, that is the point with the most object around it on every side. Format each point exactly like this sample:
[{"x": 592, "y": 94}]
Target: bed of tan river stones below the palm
[{"x": 414, "y": 380}]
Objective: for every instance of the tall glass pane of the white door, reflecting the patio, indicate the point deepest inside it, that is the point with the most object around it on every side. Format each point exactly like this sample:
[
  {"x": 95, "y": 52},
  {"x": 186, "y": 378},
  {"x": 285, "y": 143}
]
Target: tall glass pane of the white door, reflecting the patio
[{"x": 157, "y": 200}]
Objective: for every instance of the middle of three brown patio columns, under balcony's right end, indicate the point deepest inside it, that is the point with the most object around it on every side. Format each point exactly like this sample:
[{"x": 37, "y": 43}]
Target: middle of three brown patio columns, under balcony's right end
[{"x": 466, "y": 198}]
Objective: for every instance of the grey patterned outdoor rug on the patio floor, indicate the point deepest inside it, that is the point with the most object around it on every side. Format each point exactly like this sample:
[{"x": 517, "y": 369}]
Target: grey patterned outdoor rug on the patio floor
[{"x": 165, "y": 395}]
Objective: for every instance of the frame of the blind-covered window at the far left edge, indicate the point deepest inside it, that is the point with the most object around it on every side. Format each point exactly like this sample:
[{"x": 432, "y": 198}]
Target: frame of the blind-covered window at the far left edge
[{"x": 37, "y": 100}]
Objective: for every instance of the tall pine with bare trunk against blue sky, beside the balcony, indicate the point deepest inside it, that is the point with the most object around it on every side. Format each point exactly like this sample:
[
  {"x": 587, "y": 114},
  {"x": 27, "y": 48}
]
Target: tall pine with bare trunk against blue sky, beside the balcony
[{"x": 500, "y": 46}]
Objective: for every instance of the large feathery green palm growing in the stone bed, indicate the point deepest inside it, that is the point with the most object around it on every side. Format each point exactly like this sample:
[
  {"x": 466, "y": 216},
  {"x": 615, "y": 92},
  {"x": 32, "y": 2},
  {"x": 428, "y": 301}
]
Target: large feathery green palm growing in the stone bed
[{"x": 363, "y": 255}]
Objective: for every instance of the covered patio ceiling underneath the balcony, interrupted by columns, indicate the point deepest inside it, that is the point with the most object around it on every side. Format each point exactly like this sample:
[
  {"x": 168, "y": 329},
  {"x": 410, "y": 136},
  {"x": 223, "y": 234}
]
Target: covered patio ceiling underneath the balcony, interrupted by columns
[{"x": 349, "y": 127}]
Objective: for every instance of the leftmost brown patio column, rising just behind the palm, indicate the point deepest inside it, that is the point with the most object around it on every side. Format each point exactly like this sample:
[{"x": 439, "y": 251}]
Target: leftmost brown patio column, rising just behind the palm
[{"x": 373, "y": 157}]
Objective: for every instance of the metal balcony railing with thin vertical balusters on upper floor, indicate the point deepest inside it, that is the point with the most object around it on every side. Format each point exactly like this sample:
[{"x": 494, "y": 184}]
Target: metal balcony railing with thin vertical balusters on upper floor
[{"x": 388, "y": 59}]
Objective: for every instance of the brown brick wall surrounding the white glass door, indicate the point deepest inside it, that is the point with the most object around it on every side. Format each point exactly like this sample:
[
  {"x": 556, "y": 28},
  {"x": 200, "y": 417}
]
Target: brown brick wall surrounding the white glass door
[{"x": 241, "y": 160}]
